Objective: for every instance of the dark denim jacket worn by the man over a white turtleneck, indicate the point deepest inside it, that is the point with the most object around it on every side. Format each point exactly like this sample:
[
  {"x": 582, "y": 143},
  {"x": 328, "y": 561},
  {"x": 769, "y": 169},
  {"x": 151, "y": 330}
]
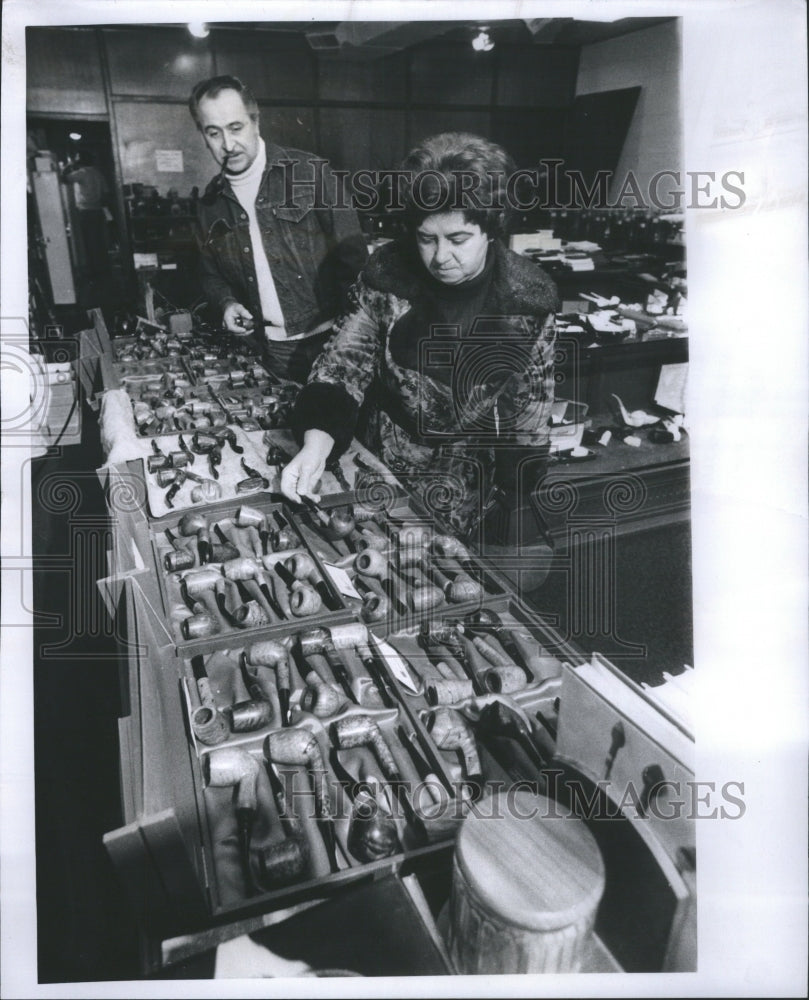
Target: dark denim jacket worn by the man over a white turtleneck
[{"x": 314, "y": 251}]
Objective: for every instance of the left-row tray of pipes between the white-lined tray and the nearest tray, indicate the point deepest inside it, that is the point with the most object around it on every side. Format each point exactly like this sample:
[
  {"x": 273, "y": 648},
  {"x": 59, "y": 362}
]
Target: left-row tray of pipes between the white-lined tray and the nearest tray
[{"x": 238, "y": 567}]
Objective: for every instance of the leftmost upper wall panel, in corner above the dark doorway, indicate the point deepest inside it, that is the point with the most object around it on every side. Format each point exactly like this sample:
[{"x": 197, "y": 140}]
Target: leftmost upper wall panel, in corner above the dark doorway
[{"x": 64, "y": 72}]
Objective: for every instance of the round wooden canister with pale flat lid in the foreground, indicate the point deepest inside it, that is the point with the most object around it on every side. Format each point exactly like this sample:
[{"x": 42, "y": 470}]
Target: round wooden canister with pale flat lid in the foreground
[{"x": 526, "y": 883}]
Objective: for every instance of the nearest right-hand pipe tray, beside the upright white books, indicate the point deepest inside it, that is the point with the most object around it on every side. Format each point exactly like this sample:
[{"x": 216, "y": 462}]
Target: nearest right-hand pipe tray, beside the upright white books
[{"x": 482, "y": 694}]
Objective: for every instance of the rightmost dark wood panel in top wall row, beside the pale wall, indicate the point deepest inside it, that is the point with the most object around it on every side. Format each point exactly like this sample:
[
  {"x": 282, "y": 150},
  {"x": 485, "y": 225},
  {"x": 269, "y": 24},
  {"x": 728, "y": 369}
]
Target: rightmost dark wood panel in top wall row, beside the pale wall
[{"x": 536, "y": 76}]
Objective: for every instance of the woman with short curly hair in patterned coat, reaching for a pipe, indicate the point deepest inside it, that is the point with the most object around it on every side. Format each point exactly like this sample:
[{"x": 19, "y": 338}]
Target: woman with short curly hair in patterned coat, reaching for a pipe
[{"x": 450, "y": 333}]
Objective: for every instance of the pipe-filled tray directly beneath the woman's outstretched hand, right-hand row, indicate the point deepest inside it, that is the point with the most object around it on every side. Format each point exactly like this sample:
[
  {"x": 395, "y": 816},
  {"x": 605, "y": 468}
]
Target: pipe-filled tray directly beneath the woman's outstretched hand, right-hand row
[{"x": 395, "y": 567}]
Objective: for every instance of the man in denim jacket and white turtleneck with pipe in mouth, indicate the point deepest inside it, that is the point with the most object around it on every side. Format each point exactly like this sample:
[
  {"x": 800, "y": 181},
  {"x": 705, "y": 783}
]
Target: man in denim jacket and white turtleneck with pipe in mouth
[{"x": 276, "y": 258}]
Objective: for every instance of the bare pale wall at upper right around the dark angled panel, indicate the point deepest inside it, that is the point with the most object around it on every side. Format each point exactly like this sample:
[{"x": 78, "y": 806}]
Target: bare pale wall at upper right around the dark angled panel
[{"x": 650, "y": 58}]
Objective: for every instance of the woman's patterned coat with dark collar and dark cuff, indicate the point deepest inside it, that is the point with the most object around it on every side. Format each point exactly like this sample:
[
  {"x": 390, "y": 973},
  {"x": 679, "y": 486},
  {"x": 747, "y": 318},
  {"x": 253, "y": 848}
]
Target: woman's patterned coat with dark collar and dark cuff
[{"x": 438, "y": 420}]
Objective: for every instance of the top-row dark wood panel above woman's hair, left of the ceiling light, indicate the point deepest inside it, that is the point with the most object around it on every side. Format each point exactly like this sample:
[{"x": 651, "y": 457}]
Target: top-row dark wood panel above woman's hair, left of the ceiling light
[{"x": 442, "y": 73}]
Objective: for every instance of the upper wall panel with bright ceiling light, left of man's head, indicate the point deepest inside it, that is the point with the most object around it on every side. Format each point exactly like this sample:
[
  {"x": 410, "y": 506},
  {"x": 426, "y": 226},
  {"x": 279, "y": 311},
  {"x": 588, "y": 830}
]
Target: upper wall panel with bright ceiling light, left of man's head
[{"x": 156, "y": 63}]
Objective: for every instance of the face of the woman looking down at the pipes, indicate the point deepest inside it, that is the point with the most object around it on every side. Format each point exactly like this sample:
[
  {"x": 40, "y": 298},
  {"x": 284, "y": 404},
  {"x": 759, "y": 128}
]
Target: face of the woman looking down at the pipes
[{"x": 452, "y": 249}]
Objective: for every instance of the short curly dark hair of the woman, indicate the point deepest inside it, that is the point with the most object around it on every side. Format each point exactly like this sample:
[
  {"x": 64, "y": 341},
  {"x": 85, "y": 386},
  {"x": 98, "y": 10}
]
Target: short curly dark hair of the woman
[{"x": 458, "y": 171}]
